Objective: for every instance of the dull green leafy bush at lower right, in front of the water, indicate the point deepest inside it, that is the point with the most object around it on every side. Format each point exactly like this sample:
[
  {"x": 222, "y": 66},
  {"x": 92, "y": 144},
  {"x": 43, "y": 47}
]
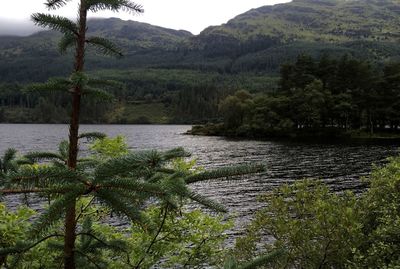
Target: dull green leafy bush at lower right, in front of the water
[{"x": 316, "y": 227}]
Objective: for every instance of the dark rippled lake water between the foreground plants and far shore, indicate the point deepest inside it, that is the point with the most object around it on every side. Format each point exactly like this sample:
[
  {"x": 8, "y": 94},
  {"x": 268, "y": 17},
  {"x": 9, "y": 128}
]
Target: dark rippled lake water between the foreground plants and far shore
[{"x": 340, "y": 165}]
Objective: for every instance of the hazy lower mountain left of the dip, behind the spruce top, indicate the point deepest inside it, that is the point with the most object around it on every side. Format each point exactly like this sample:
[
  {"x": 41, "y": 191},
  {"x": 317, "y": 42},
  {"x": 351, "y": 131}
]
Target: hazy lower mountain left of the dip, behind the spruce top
[{"x": 35, "y": 57}]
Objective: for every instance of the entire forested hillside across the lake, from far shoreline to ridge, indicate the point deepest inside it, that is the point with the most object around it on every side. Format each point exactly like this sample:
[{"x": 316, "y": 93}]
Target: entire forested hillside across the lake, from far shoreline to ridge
[{"x": 187, "y": 75}]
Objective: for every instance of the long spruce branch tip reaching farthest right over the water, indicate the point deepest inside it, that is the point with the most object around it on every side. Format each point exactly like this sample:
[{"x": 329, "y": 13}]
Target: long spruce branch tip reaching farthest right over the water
[{"x": 225, "y": 173}]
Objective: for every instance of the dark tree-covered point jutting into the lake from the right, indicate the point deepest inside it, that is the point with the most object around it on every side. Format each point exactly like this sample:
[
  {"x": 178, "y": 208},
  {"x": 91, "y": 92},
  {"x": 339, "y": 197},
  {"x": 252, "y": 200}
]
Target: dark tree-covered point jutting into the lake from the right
[{"x": 326, "y": 96}]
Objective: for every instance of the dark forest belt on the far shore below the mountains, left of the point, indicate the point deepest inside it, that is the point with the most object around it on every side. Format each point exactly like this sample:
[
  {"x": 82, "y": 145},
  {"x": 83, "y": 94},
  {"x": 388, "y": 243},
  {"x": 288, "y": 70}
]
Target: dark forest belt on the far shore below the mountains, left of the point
[{"x": 145, "y": 96}]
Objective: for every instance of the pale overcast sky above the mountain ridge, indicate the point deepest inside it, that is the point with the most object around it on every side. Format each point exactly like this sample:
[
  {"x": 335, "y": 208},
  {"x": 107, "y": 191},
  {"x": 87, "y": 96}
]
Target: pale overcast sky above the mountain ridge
[{"x": 191, "y": 15}]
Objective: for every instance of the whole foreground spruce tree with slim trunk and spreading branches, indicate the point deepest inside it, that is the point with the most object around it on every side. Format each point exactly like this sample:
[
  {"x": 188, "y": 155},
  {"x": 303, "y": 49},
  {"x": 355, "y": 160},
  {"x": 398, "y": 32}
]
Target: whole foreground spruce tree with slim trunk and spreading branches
[{"x": 123, "y": 183}]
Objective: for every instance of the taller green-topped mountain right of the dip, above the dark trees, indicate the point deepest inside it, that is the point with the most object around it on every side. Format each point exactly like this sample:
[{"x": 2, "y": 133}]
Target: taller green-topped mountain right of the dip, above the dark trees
[{"x": 264, "y": 37}]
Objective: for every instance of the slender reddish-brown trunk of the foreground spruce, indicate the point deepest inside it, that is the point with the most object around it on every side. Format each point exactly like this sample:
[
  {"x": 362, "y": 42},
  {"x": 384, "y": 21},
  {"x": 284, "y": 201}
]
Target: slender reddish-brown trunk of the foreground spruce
[{"x": 70, "y": 218}]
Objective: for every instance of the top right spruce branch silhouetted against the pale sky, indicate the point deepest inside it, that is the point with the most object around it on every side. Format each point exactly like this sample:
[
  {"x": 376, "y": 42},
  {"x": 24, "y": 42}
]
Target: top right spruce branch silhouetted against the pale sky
[{"x": 114, "y": 5}]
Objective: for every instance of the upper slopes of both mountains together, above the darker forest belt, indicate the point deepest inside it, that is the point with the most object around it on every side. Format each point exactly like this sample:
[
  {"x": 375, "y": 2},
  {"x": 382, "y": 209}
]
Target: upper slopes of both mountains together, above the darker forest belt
[{"x": 258, "y": 40}]
